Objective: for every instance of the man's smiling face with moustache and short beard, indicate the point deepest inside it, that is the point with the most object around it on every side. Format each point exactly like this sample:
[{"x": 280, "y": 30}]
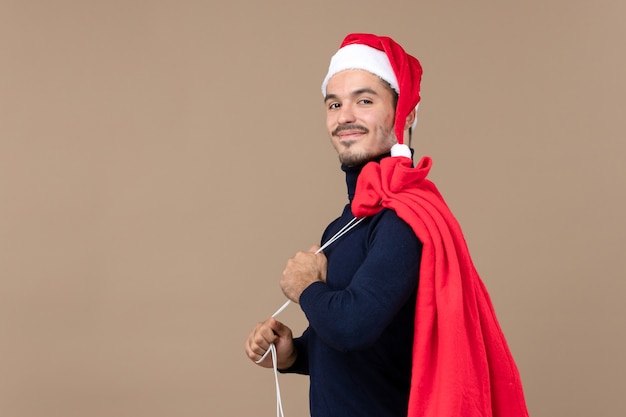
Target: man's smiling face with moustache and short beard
[{"x": 360, "y": 114}]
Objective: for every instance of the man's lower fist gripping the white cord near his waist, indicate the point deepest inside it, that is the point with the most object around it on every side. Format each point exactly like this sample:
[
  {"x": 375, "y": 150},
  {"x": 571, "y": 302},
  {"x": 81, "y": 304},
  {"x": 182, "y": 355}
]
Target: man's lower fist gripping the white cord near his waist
[{"x": 266, "y": 333}]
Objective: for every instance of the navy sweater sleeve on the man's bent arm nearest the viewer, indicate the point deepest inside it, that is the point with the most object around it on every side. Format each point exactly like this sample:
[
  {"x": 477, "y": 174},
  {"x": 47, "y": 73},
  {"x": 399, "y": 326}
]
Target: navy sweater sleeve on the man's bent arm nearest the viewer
[{"x": 354, "y": 317}]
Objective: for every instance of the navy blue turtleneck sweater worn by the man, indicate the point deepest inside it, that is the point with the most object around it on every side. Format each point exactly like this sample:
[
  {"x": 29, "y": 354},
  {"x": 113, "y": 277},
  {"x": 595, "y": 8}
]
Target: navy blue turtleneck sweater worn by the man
[{"x": 358, "y": 346}]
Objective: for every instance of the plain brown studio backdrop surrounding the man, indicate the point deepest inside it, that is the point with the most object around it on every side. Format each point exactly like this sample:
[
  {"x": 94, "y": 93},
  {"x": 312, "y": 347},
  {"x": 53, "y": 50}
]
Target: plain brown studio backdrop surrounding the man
[{"x": 159, "y": 161}]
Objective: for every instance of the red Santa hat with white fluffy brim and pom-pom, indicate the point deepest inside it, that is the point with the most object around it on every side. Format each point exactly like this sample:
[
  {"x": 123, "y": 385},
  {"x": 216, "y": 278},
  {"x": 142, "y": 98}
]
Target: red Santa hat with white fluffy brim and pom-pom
[{"x": 384, "y": 57}]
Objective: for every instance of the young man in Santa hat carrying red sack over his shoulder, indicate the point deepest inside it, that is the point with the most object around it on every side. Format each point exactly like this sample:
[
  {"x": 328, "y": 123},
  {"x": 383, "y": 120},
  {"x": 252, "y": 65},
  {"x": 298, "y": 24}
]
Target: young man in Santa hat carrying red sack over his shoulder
[{"x": 377, "y": 345}]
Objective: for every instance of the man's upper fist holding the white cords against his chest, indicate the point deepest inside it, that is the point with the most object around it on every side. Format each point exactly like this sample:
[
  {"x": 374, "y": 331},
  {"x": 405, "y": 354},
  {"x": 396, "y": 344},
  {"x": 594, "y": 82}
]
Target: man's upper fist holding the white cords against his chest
[{"x": 301, "y": 271}]
